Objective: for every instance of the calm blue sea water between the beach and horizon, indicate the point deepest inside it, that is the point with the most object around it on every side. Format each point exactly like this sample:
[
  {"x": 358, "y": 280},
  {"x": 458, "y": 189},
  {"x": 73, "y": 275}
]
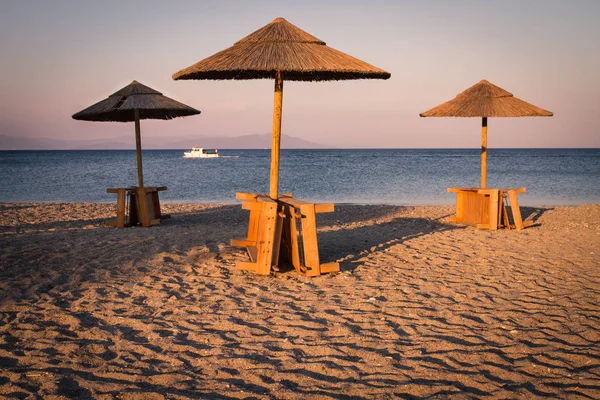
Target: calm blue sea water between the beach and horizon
[{"x": 369, "y": 176}]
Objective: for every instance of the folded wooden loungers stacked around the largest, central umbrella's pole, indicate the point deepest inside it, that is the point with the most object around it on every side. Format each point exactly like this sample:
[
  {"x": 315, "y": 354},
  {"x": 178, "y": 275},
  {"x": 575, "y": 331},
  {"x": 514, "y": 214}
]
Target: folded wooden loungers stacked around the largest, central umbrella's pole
[{"x": 282, "y": 231}]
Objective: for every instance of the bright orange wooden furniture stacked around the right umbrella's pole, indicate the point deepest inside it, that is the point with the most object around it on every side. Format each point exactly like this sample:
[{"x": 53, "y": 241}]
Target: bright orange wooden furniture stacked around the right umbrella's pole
[{"x": 489, "y": 208}]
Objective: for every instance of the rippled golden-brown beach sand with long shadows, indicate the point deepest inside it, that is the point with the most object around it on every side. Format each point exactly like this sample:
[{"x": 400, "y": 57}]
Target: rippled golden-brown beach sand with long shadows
[{"x": 420, "y": 309}]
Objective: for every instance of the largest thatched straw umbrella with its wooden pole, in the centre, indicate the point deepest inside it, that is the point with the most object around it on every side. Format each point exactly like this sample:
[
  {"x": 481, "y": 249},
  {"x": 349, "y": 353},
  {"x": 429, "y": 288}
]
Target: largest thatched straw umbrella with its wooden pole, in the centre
[{"x": 280, "y": 51}]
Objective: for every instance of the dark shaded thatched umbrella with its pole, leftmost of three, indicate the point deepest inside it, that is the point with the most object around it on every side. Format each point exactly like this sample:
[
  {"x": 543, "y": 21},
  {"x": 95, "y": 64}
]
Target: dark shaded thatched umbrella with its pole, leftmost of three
[{"x": 132, "y": 103}]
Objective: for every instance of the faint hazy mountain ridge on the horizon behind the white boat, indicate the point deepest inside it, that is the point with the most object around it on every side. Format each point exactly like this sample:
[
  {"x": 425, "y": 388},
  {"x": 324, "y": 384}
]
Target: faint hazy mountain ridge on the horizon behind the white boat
[{"x": 156, "y": 143}]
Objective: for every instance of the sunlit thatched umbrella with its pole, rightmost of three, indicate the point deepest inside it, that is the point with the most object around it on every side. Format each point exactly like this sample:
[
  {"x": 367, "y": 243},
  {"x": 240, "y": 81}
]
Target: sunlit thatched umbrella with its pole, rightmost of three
[{"x": 485, "y": 100}]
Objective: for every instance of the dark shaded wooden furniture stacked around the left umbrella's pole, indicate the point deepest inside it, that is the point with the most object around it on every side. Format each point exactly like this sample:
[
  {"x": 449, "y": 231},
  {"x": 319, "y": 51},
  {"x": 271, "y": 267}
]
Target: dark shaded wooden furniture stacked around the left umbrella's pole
[{"x": 144, "y": 206}]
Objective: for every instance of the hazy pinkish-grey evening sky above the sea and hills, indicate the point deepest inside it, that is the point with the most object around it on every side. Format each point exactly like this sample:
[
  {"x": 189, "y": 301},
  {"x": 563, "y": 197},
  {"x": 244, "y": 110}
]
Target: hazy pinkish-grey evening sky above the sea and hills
[{"x": 59, "y": 57}]
